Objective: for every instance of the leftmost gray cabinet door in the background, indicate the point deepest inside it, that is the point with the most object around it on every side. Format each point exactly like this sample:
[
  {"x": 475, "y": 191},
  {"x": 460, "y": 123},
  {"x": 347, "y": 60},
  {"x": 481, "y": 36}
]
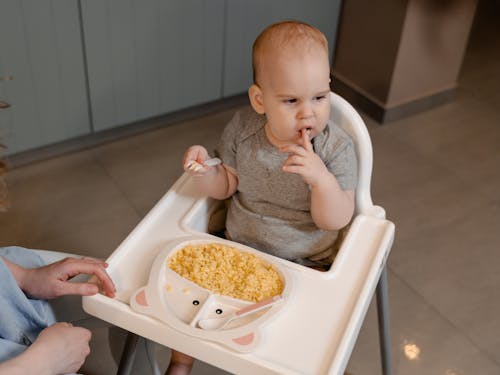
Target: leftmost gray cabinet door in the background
[{"x": 42, "y": 73}]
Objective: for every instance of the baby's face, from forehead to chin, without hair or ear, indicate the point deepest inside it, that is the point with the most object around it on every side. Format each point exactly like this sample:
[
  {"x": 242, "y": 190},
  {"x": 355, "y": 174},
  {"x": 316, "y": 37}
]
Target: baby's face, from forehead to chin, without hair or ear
[{"x": 295, "y": 93}]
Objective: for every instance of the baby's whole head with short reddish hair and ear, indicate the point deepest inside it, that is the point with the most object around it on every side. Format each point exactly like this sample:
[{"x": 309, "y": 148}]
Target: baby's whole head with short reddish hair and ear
[{"x": 291, "y": 81}]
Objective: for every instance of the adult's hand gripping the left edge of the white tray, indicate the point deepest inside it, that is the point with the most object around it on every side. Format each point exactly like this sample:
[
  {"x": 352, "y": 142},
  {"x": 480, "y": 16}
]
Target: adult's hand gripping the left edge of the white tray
[{"x": 52, "y": 281}]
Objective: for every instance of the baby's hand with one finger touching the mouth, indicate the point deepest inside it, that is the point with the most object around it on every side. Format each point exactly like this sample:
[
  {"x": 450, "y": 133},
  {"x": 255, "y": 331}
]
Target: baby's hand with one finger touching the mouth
[{"x": 304, "y": 161}]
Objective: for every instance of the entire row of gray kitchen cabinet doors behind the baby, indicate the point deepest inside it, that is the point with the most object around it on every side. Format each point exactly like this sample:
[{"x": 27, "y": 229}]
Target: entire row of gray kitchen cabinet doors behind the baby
[{"x": 70, "y": 67}]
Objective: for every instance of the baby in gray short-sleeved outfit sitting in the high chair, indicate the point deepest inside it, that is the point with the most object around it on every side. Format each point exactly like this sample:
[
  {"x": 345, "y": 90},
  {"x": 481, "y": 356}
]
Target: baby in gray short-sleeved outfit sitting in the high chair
[{"x": 289, "y": 171}]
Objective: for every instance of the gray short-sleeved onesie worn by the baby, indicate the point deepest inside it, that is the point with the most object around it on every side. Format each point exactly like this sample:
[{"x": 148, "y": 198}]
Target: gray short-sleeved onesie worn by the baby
[{"x": 271, "y": 209}]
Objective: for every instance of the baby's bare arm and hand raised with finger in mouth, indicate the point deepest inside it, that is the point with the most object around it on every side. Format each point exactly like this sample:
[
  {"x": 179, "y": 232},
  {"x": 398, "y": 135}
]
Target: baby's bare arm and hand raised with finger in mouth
[{"x": 331, "y": 207}]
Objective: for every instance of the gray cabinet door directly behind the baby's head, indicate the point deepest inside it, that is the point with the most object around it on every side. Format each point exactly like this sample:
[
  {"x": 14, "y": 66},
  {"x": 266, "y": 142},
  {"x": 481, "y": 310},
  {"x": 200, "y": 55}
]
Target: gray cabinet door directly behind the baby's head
[{"x": 246, "y": 19}]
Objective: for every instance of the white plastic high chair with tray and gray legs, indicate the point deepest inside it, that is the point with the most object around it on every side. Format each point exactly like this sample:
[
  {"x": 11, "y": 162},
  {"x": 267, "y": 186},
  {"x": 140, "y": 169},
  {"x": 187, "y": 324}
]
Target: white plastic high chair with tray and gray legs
[{"x": 317, "y": 327}]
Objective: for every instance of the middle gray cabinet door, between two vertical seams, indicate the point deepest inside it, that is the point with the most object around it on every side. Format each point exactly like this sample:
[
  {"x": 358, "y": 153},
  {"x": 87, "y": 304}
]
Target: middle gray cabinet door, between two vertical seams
[{"x": 149, "y": 57}]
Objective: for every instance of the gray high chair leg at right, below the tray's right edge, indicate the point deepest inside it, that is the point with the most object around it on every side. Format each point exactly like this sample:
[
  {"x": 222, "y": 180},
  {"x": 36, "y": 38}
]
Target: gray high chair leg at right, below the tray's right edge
[{"x": 383, "y": 322}]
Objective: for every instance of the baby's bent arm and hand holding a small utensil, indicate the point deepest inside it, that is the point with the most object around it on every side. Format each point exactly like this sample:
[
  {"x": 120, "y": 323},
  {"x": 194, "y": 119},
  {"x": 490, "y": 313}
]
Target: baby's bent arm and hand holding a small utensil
[{"x": 219, "y": 182}]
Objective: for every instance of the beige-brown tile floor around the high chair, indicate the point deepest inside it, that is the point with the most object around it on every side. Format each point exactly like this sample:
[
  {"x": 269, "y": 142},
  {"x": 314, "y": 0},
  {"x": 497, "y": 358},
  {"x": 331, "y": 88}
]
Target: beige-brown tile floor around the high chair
[{"x": 436, "y": 173}]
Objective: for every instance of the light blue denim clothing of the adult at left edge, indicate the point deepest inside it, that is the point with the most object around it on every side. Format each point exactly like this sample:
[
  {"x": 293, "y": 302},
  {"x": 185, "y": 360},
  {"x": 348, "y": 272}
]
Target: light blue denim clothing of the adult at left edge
[{"x": 22, "y": 318}]
